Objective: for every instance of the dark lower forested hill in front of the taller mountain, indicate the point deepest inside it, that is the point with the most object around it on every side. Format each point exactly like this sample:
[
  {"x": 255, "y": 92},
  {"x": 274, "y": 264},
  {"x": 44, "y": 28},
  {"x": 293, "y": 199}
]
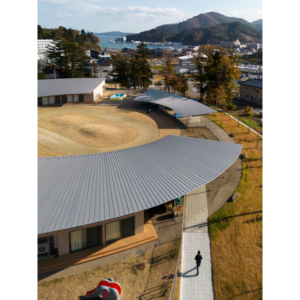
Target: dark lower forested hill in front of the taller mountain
[{"x": 203, "y": 36}]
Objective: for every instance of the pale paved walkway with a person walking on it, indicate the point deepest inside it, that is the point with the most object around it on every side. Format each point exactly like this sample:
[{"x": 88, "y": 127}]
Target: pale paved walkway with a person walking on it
[{"x": 196, "y": 237}]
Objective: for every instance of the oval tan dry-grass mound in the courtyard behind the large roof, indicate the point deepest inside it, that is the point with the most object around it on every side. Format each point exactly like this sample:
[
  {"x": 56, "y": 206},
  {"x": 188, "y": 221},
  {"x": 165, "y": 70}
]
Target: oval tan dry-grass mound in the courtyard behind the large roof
[{"x": 88, "y": 129}]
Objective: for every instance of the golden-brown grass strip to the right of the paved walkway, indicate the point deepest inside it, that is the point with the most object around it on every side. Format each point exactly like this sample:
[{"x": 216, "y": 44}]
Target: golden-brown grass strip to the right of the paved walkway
[{"x": 237, "y": 246}]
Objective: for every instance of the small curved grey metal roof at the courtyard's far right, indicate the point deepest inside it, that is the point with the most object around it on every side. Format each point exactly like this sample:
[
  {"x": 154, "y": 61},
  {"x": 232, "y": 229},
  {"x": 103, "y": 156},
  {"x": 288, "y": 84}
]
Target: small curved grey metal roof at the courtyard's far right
[{"x": 184, "y": 106}]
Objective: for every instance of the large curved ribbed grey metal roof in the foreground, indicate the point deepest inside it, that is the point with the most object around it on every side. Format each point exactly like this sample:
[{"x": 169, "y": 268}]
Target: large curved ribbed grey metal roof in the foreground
[{"x": 84, "y": 189}]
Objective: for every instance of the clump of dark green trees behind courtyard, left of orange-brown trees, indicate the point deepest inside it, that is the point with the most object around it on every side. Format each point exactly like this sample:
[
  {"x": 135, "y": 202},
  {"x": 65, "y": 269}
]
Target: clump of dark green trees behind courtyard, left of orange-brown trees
[{"x": 133, "y": 70}]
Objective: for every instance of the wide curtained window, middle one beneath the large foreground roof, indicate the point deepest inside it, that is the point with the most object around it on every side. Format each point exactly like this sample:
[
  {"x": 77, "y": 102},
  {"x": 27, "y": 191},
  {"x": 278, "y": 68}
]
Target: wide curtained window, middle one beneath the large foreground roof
[{"x": 85, "y": 238}]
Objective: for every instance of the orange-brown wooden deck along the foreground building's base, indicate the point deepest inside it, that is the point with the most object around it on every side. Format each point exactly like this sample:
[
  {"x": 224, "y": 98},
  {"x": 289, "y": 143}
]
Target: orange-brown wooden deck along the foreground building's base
[{"x": 68, "y": 260}]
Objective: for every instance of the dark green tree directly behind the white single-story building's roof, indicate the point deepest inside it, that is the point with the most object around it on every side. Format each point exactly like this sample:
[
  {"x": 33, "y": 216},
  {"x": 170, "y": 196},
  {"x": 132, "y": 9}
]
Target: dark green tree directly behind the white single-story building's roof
[{"x": 71, "y": 60}]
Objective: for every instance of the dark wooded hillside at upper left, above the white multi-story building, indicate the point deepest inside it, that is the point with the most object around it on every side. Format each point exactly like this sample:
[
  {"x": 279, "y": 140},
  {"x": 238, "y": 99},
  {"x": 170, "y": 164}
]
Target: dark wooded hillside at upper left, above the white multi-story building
[{"x": 87, "y": 40}]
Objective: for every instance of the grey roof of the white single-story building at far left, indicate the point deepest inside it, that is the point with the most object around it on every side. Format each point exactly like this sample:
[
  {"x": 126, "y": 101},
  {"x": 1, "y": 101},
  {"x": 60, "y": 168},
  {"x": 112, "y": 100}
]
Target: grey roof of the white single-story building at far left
[{"x": 67, "y": 86}]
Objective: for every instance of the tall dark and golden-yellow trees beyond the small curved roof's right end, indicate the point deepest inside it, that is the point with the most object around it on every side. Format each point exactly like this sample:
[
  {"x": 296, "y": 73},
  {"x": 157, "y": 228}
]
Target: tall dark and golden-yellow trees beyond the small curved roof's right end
[{"x": 216, "y": 71}]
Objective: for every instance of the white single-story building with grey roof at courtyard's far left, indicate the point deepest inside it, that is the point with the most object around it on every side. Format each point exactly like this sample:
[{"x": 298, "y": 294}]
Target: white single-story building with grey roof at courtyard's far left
[{"x": 68, "y": 90}]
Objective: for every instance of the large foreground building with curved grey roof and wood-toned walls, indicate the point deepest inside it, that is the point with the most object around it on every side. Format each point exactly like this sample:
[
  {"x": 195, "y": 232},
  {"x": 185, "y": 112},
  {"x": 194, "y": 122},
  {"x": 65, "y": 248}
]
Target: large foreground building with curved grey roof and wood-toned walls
[{"x": 90, "y": 200}]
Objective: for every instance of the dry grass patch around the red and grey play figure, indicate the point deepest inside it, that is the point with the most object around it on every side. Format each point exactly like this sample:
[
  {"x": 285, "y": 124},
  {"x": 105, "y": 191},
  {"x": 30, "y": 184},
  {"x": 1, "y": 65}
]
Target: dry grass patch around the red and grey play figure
[{"x": 136, "y": 284}]
